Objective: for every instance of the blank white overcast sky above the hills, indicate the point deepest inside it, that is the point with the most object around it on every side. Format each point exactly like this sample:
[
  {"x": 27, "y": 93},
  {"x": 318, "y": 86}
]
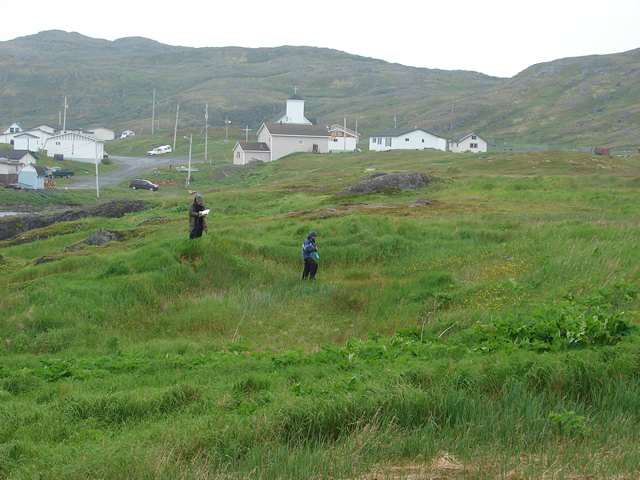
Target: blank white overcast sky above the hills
[{"x": 495, "y": 37}]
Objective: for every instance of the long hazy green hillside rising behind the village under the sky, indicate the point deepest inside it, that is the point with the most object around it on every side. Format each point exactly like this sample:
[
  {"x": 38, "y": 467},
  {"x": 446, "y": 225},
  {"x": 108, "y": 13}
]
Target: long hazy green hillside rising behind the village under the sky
[{"x": 568, "y": 102}]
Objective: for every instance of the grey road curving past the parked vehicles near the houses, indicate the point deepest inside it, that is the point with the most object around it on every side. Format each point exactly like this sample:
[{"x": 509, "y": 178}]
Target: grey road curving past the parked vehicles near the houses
[{"x": 129, "y": 167}]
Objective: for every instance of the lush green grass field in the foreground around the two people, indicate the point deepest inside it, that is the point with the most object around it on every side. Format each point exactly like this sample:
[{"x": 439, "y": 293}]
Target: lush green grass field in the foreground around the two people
[{"x": 488, "y": 330}]
